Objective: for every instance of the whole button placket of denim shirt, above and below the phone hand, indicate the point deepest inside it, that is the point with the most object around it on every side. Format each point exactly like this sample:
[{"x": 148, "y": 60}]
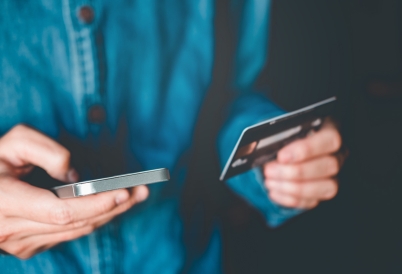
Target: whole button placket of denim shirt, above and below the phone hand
[{"x": 87, "y": 77}]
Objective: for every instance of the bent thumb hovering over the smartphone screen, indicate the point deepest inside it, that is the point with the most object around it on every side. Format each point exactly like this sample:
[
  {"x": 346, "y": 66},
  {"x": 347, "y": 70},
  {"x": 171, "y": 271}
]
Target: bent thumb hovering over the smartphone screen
[{"x": 22, "y": 146}]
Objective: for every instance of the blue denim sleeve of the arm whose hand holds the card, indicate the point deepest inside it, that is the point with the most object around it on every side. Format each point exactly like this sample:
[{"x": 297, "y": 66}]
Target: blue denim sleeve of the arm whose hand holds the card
[{"x": 251, "y": 106}]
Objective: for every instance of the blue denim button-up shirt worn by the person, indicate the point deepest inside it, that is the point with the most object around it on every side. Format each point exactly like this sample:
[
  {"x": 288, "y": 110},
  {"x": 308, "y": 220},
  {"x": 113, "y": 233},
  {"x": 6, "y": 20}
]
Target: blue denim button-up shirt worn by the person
[{"x": 148, "y": 63}]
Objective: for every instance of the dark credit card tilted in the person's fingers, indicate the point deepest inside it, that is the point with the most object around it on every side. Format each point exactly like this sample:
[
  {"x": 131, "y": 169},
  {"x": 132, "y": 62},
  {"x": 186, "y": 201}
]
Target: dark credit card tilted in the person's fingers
[{"x": 260, "y": 143}]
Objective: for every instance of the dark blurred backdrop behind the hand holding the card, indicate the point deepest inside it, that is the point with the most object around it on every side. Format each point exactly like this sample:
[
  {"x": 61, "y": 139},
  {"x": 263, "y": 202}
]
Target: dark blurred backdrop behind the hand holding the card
[{"x": 351, "y": 49}]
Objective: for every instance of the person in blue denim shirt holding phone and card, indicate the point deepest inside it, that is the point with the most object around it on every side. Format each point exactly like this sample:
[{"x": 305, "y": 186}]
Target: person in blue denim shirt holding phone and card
[{"x": 91, "y": 89}]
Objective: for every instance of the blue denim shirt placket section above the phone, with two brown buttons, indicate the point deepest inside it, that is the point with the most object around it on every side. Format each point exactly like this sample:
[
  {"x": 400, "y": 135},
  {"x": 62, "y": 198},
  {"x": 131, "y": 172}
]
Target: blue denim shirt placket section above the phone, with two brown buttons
[{"x": 86, "y": 67}]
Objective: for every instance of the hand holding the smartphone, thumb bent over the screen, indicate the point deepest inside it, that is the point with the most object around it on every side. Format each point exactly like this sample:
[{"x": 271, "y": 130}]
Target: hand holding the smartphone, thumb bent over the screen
[{"x": 34, "y": 219}]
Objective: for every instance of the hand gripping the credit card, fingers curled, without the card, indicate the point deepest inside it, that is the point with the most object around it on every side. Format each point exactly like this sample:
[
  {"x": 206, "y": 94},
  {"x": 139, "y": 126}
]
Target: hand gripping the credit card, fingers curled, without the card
[{"x": 304, "y": 172}]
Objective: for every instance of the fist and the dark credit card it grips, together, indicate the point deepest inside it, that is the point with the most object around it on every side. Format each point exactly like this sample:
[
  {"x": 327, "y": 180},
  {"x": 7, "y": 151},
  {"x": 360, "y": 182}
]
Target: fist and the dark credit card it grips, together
[{"x": 298, "y": 153}]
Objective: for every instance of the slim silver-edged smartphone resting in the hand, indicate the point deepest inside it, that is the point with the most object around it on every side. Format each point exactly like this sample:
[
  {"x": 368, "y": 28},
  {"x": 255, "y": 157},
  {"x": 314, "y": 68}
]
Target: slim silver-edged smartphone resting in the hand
[{"x": 111, "y": 183}]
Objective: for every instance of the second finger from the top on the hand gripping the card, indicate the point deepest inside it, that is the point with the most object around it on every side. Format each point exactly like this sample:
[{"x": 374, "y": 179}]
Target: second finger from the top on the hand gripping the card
[{"x": 323, "y": 167}]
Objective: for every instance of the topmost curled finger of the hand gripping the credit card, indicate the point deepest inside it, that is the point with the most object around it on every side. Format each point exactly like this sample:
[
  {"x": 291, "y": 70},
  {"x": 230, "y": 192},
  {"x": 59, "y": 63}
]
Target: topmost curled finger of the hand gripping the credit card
[{"x": 326, "y": 141}]
